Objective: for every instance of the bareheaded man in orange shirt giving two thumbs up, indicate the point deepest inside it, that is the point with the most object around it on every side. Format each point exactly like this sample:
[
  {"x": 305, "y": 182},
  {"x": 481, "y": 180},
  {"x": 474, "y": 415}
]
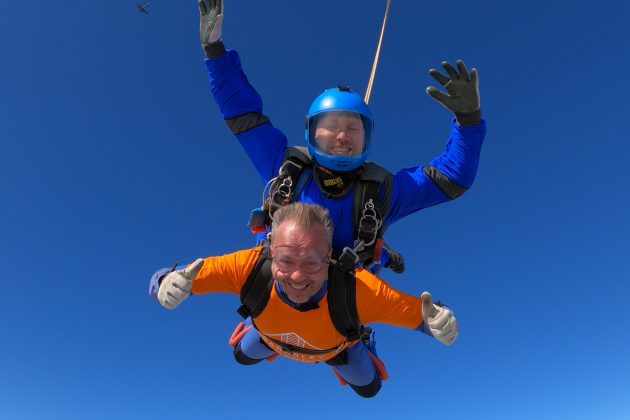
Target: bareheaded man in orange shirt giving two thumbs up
[{"x": 295, "y": 319}]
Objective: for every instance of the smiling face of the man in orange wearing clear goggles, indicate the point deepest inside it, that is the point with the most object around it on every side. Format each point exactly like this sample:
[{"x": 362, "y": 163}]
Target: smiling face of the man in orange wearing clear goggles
[{"x": 299, "y": 259}]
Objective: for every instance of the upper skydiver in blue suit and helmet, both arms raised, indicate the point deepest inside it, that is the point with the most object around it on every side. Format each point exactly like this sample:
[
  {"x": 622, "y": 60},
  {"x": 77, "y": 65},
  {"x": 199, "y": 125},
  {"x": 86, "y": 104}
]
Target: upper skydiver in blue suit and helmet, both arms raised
[{"x": 338, "y": 141}]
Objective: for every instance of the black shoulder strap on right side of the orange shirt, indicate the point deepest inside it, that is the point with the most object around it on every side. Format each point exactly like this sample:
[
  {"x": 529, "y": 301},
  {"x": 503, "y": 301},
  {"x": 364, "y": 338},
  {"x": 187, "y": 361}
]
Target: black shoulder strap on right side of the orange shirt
[{"x": 342, "y": 297}]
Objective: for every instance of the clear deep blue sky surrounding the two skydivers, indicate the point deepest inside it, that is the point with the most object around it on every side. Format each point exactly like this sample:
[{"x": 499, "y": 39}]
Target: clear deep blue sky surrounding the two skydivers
[{"x": 115, "y": 162}]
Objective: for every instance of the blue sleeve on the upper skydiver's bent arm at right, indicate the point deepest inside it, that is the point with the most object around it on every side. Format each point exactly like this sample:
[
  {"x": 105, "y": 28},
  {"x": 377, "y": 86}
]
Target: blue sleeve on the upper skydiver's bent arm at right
[{"x": 455, "y": 169}]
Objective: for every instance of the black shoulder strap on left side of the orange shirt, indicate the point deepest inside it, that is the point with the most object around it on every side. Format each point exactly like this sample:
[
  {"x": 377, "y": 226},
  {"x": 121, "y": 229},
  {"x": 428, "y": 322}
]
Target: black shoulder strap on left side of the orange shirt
[{"x": 257, "y": 288}]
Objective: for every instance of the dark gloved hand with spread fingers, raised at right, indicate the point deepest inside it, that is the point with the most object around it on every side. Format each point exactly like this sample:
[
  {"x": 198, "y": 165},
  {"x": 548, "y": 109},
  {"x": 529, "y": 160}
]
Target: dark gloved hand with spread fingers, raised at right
[{"x": 463, "y": 89}]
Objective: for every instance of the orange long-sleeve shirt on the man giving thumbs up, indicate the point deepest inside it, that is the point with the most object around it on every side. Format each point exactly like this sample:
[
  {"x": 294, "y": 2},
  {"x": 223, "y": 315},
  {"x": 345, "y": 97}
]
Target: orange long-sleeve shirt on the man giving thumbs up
[{"x": 377, "y": 301}]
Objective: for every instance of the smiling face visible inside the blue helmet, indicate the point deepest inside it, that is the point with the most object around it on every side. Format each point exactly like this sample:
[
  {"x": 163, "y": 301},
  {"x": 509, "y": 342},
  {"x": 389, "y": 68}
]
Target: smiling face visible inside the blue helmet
[{"x": 340, "y": 133}]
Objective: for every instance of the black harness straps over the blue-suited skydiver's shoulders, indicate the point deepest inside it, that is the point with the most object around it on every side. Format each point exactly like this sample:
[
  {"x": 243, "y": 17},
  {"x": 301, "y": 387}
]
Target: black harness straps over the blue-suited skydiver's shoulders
[{"x": 368, "y": 208}]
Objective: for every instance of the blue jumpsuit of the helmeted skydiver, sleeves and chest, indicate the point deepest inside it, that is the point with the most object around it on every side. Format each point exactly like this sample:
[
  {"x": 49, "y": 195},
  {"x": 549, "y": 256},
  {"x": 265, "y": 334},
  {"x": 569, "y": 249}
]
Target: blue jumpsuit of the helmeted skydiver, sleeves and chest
[{"x": 412, "y": 188}]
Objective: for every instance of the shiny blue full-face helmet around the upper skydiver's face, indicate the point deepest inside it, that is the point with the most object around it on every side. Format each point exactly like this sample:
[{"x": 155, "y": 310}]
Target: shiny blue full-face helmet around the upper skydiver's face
[{"x": 339, "y": 99}]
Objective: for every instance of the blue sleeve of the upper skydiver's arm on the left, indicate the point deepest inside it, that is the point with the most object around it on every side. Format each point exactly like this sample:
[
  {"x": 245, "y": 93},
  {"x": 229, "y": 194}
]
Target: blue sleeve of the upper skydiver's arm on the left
[{"x": 241, "y": 107}]
